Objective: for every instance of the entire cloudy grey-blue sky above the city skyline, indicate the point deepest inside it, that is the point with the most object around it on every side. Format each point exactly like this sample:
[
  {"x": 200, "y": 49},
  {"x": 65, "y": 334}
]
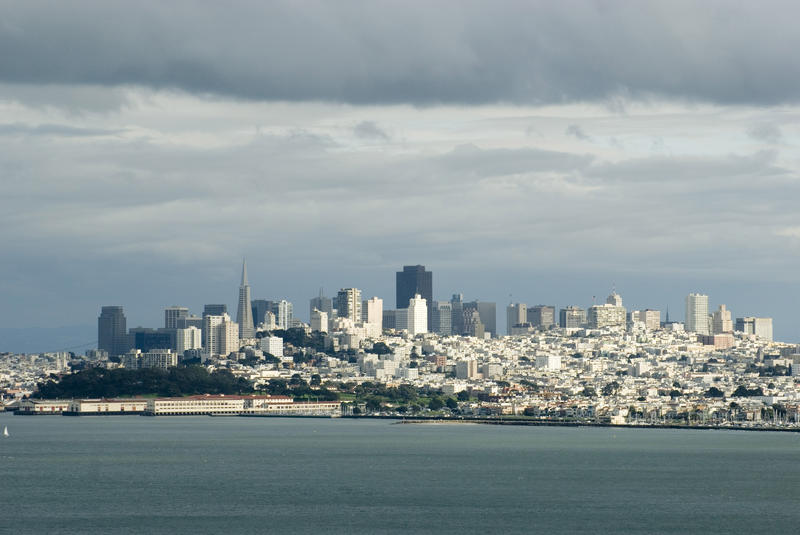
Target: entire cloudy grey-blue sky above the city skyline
[{"x": 541, "y": 152}]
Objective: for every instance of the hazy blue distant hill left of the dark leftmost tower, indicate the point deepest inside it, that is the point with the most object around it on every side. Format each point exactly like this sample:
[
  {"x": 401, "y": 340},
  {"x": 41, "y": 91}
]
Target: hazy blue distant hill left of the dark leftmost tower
[{"x": 76, "y": 338}]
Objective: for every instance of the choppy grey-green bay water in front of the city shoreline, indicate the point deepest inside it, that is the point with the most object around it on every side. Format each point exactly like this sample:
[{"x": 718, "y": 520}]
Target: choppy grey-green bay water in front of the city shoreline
[{"x": 133, "y": 474}]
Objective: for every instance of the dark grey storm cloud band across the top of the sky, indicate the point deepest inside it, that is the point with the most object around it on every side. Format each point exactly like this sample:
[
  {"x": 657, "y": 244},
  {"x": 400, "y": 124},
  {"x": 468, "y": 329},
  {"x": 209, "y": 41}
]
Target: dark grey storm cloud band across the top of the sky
[{"x": 412, "y": 52}]
